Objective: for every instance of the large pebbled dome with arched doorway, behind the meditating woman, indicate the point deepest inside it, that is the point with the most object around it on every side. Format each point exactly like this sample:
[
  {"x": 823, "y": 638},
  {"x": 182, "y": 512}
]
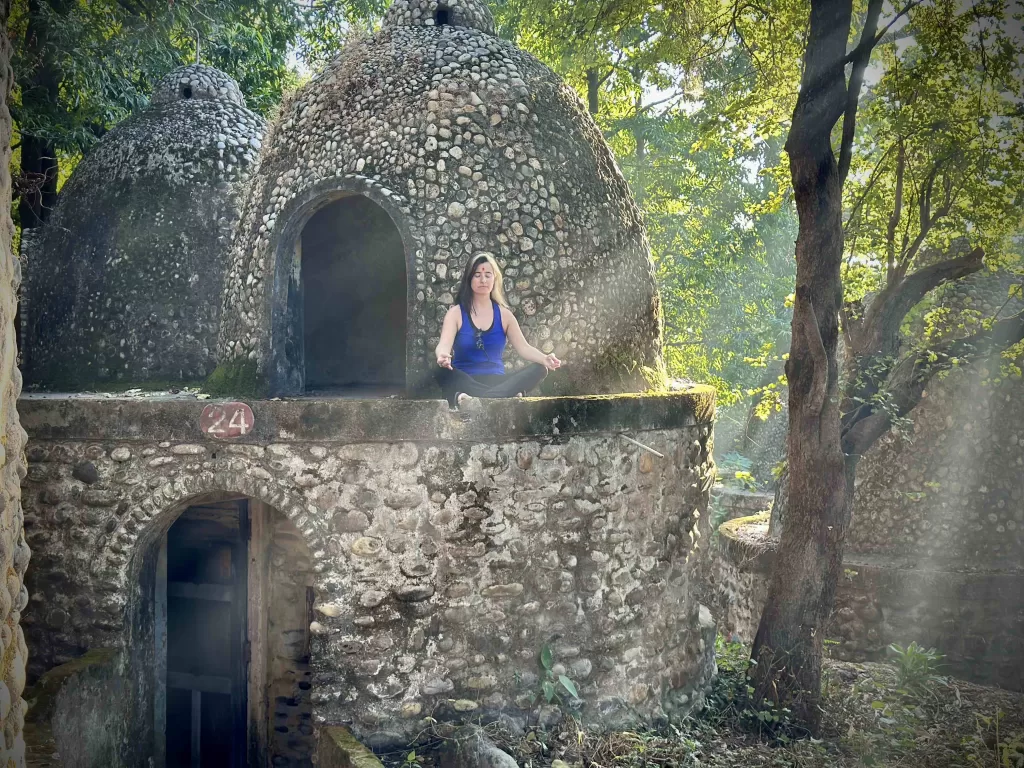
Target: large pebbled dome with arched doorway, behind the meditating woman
[{"x": 416, "y": 149}]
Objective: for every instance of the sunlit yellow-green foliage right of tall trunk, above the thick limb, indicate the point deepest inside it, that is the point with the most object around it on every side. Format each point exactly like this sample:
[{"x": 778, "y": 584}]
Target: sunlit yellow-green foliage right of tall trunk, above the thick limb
[{"x": 941, "y": 148}]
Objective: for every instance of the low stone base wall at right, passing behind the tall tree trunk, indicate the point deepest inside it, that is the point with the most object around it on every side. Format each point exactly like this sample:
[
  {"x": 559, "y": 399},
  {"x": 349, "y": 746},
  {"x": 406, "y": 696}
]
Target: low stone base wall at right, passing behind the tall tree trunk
[{"x": 974, "y": 617}]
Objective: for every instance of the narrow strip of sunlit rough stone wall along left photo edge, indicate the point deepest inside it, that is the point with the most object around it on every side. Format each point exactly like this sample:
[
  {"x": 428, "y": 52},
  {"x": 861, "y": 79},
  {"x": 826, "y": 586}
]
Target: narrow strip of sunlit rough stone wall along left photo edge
[{"x": 14, "y": 550}]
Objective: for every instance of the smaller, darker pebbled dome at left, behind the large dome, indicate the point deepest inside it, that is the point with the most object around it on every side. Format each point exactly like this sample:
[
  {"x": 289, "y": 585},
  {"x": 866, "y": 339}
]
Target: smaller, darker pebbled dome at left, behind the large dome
[{"x": 126, "y": 278}]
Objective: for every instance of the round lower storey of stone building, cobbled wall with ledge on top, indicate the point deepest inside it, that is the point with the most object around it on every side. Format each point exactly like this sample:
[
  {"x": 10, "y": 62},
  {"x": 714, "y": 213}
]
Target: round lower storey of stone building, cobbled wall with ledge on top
[{"x": 441, "y": 557}]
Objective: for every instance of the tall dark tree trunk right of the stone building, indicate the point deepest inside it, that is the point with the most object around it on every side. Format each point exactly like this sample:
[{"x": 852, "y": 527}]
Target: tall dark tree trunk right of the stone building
[{"x": 789, "y": 643}]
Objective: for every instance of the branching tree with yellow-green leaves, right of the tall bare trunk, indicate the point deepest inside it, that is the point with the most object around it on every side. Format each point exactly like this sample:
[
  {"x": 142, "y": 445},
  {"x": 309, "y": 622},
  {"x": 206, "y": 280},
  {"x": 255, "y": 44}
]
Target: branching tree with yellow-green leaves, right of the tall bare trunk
[{"x": 942, "y": 195}]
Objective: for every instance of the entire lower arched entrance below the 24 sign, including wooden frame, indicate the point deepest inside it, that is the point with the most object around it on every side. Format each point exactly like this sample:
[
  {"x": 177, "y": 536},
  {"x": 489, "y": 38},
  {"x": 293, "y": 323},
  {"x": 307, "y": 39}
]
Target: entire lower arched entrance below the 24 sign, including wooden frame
[{"x": 233, "y": 594}]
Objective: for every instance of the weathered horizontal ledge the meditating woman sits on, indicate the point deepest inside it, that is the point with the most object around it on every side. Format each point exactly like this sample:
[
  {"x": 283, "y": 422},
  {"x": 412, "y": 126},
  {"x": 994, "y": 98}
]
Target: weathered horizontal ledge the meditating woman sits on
[{"x": 53, "y": 417}]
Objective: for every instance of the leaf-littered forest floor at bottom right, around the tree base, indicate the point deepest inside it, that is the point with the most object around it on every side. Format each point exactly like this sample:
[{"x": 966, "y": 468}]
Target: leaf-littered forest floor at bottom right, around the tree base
[{"x": 890, "y": 716}]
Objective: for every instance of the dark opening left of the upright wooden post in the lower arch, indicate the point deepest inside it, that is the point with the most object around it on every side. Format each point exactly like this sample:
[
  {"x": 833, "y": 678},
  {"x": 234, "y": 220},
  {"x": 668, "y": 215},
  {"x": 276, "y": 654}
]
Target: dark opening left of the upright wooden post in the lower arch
[{"x": 202, "y": 601}]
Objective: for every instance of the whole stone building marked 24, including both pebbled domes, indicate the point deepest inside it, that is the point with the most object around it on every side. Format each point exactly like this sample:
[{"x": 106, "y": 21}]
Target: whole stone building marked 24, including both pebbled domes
[{"x": 274, "y": 569}]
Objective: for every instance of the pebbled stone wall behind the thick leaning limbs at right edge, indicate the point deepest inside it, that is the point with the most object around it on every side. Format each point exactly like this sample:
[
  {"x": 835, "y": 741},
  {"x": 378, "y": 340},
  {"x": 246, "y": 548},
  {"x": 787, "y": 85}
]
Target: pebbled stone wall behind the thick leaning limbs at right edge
[{"x": 954, "y": 493}]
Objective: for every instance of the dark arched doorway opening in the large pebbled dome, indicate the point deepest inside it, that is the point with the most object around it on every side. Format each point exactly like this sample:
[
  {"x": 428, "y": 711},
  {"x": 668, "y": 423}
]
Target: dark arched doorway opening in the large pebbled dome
[{"x": 354, "y": 301}]
